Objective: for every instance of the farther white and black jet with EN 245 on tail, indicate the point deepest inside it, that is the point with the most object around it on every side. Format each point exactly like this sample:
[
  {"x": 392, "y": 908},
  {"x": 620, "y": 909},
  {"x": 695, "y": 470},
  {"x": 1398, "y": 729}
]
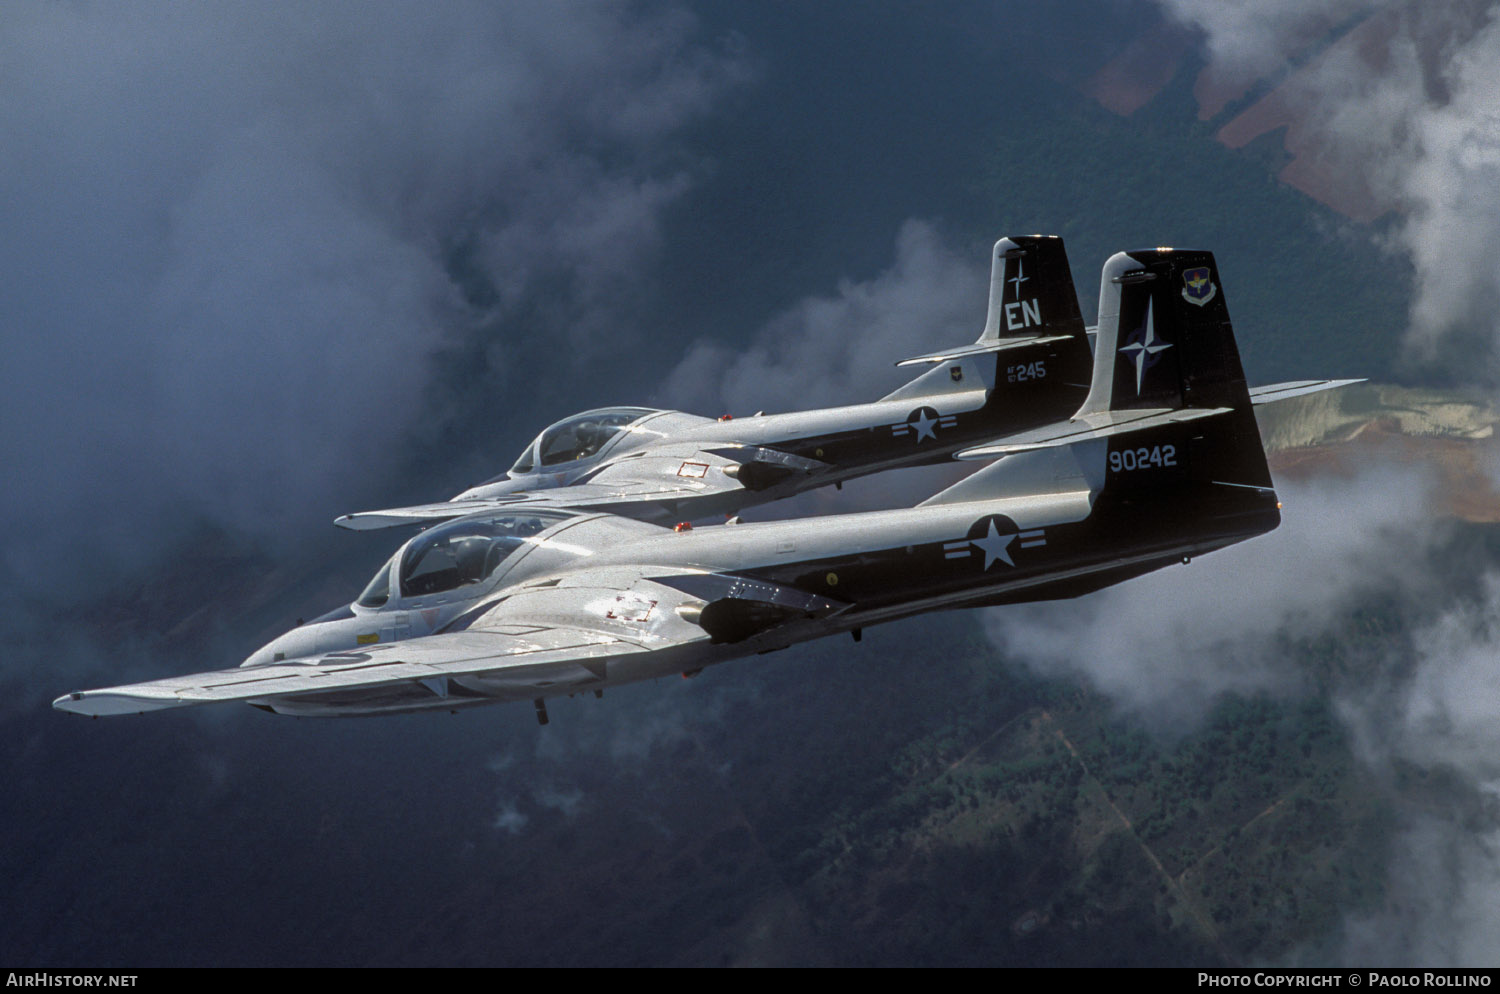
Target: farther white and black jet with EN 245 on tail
[{"x": 1031, "y": 367}]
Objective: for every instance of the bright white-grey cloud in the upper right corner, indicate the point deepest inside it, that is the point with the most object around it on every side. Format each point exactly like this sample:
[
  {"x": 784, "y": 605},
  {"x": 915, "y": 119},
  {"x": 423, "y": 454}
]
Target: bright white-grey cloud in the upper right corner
[{"x": 1405, "y": 107}]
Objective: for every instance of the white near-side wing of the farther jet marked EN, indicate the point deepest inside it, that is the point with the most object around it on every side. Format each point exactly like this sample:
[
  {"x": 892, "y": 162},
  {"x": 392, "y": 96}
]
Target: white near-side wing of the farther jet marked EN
[{"x": 667, "y": 487}]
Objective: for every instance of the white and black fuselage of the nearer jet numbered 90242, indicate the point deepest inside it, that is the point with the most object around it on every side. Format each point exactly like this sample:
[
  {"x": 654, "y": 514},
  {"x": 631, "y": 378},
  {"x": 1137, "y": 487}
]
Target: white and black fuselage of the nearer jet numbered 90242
[{"x": 692, "y": 599}]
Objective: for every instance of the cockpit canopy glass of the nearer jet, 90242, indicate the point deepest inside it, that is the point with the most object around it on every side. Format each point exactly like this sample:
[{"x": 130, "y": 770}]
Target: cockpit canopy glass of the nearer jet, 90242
[{"x": 467, "y": 551}]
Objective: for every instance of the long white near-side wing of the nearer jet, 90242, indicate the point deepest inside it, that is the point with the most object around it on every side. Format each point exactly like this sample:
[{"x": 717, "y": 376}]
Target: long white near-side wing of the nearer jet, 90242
[{"x": 581, "y": 632}]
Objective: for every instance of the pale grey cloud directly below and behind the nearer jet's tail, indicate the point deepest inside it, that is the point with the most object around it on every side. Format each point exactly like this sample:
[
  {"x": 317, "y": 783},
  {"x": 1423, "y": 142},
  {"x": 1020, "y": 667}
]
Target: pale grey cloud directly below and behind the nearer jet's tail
[{"x": 1168, "y": 645}]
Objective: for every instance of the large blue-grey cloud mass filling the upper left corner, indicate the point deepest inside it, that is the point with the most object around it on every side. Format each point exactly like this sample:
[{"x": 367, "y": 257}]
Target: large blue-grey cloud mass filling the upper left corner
[{"x": 230, "y": 227}]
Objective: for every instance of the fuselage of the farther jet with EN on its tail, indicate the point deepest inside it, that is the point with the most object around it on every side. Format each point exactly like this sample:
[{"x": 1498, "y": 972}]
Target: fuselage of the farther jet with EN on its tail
[{"x": 953, "y": 406}]
